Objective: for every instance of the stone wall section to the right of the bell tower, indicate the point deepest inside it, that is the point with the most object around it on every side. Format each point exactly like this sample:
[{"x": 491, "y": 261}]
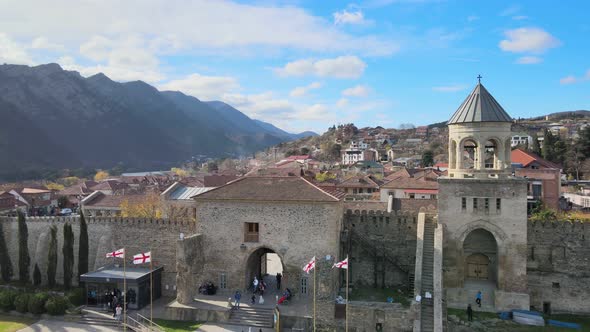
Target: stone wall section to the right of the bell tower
[{"x": 558, "y": 265}]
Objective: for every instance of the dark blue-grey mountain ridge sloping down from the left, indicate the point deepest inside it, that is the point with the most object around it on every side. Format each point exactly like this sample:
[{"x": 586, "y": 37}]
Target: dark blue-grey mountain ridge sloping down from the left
[{"x": 51, "y": 118}]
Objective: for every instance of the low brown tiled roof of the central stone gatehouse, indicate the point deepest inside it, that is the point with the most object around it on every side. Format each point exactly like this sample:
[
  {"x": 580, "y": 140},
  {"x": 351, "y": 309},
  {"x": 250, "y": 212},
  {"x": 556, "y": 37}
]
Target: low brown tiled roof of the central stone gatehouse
[{"x": 290, "y": 188}]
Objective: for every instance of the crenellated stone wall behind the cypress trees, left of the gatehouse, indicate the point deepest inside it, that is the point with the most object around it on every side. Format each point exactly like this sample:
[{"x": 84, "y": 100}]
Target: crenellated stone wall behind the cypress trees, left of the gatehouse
[{"x": 104, "y": 235}]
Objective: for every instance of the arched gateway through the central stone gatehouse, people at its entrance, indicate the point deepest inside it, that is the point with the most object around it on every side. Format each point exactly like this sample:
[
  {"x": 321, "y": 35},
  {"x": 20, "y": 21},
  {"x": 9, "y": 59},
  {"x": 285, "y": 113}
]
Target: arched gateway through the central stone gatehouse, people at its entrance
[{"x": 263, "y": 263}]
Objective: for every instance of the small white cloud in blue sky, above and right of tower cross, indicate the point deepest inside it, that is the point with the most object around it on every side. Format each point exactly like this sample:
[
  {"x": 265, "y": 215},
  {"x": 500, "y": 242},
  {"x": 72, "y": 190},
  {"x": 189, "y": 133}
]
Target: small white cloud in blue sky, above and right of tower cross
[{"x": 530, "y": 39}]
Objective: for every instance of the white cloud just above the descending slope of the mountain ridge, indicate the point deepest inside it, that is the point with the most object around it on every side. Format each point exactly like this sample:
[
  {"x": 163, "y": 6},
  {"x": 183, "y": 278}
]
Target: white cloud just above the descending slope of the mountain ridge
[{"x": 203, "y": 87}]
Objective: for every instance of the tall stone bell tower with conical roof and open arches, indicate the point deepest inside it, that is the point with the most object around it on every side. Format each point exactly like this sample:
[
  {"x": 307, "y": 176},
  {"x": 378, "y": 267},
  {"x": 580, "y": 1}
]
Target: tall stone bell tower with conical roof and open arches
[{"x": 482, "y": 208}]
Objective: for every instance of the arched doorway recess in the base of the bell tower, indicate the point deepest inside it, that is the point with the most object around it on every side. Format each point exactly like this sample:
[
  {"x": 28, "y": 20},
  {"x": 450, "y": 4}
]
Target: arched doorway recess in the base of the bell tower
[{"x": 481, "y": 256}]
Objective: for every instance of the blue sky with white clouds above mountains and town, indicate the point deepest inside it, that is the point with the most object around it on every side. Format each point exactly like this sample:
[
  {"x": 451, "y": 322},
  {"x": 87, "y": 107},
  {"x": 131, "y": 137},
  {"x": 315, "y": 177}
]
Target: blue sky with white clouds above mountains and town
[{"x": 307, "y": 65}]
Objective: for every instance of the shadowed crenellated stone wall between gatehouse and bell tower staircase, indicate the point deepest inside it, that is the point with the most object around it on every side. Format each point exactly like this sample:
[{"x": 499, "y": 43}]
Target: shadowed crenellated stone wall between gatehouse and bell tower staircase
[{"x": 382, "y": 247}]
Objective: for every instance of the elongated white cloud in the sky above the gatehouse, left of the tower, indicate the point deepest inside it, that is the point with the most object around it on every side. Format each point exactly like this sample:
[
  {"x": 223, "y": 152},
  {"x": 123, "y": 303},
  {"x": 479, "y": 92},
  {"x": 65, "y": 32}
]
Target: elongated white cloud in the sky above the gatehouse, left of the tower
[{"x": 342, "y": 67}]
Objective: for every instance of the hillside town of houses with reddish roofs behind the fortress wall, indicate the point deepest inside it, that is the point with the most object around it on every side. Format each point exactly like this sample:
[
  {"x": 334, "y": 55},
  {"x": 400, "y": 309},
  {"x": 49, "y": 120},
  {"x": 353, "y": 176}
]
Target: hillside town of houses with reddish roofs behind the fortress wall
[{"x": 373, "y": 168}]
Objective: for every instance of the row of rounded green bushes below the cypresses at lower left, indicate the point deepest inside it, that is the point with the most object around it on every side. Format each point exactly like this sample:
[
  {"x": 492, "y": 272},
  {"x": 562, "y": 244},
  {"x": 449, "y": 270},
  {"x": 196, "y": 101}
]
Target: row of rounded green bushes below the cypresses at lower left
[{"x": 36, "y": 303}]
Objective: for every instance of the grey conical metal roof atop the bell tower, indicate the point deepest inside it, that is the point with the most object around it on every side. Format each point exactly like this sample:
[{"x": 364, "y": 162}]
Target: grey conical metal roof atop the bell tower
[{"x": 480, "y": 106}]
